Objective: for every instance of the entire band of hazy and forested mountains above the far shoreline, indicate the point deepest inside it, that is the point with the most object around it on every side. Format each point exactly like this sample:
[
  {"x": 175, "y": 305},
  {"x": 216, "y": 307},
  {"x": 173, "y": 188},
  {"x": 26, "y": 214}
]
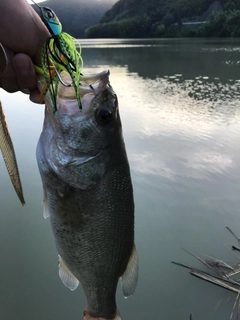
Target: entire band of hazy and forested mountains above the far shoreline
[{"x": 148, "y": 18}]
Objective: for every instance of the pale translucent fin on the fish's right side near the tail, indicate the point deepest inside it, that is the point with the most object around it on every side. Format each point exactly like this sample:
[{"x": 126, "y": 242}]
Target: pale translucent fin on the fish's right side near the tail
[{"x": 130, "y": 277}]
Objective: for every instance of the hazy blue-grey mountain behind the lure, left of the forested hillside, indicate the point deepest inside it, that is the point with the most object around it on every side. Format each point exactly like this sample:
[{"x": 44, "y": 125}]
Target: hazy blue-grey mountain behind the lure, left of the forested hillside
[{"x": 77, "y": 15}]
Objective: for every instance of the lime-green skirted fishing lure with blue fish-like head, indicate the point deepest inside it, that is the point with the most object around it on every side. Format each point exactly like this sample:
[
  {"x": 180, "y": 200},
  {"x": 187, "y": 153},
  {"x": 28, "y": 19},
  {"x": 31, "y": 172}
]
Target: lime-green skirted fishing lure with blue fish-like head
[{"x": 59, "y": 54}]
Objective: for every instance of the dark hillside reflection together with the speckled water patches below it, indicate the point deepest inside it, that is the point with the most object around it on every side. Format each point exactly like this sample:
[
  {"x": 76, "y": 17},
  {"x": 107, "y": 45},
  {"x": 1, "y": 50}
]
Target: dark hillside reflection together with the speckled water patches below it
[{"x": 205, "y": 71}]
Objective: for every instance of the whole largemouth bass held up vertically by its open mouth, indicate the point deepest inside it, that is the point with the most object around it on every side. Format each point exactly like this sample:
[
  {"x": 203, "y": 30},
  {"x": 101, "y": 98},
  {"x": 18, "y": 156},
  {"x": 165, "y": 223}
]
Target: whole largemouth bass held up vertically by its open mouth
[{"x": 88, "y": 194}]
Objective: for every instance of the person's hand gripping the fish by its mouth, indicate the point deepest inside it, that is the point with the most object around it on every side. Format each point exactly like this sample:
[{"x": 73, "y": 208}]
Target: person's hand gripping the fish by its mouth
[{"x": 22, "y": 41}]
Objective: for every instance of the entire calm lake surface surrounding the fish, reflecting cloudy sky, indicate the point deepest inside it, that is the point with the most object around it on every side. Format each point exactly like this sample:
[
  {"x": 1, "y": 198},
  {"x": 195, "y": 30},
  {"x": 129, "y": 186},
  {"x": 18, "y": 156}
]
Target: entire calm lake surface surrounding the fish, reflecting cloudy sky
[{"x": 180, "y": 110}]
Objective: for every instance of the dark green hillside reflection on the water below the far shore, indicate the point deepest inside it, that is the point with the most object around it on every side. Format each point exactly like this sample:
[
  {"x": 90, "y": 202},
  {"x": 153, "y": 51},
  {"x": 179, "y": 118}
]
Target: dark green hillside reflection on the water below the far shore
[{"x": 167, "y": 59}]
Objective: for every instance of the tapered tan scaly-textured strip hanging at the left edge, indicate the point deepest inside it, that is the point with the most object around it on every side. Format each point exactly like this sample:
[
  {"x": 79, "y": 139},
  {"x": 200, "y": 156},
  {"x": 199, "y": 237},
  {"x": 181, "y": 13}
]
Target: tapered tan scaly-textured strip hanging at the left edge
[{"x": 8, "y": 153}]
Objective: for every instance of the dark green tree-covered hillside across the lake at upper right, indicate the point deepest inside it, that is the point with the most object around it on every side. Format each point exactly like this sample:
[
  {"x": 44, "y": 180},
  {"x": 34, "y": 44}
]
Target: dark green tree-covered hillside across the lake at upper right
[{"x": 165, "y": 18}]
